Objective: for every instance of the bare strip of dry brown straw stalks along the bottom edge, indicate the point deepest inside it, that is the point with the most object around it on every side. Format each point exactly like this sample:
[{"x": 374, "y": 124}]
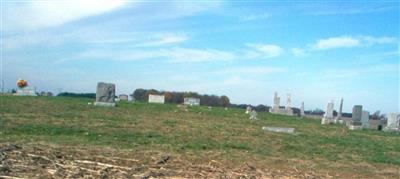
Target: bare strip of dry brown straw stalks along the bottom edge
[{"x": 43, "y": 161}]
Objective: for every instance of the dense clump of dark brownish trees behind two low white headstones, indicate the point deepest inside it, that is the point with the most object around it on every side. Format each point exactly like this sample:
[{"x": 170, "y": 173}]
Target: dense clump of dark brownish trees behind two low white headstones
[{"x": 177, "y": 97}]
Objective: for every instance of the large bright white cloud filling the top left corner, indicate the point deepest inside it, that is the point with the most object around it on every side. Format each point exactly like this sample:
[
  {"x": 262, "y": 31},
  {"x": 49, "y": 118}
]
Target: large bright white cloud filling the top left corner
[{"x": 37, "y": 14}]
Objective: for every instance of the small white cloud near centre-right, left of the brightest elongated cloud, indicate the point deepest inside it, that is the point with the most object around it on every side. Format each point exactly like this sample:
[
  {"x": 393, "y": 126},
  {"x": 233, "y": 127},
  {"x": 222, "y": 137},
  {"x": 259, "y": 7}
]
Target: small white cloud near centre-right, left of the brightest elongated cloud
[{"x": 264, "y": 50}]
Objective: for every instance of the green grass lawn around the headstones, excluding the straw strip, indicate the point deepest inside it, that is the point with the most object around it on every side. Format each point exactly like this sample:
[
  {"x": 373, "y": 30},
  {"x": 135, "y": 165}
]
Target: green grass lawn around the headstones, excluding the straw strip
[{"x": 200, "y": 134}]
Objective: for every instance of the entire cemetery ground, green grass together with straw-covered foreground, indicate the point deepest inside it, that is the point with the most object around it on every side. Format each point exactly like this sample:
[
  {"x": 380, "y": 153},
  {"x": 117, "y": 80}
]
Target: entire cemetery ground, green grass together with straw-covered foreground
[{"x": 46, "y": 137}]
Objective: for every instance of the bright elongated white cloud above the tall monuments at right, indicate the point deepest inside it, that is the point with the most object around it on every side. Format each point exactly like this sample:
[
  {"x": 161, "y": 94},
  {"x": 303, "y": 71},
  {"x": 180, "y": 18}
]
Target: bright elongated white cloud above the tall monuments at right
[{"x": 336, "y": 42}]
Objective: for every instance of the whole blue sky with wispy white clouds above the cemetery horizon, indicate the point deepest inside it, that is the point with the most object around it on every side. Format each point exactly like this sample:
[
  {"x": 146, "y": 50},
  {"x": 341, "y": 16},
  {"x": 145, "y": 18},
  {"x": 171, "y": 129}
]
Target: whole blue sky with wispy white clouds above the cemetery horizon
[{"x": 317, "y": 51}]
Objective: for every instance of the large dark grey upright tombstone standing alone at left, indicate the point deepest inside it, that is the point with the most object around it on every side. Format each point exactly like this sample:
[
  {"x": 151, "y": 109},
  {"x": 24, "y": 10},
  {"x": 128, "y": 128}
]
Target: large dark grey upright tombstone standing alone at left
[{"x": 105, "y": 94}]
